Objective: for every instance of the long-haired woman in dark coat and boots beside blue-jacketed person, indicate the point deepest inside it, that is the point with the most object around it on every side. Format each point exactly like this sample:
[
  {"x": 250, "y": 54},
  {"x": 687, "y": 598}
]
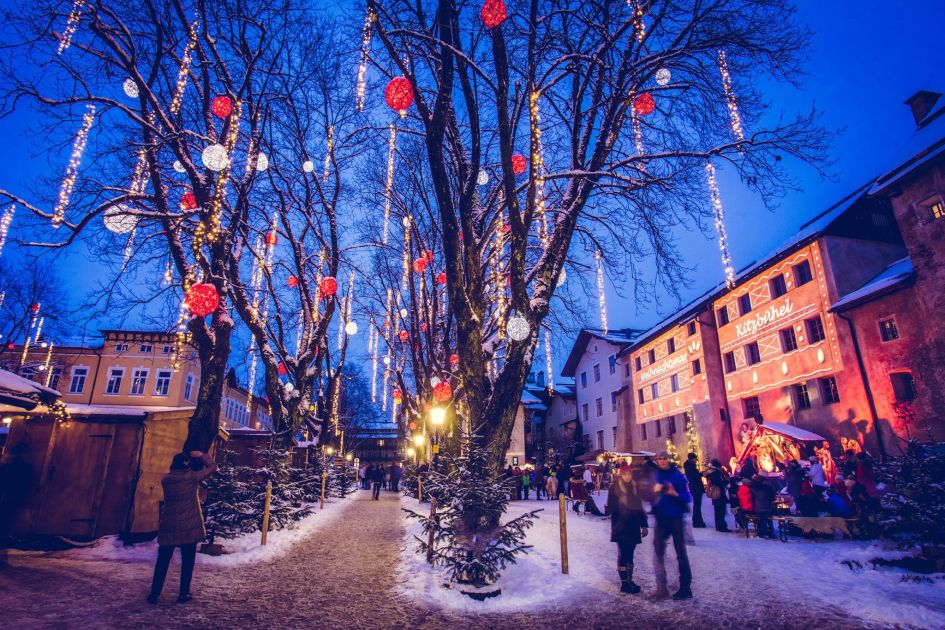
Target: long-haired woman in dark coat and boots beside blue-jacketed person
[{"x": 628, "y": 524}]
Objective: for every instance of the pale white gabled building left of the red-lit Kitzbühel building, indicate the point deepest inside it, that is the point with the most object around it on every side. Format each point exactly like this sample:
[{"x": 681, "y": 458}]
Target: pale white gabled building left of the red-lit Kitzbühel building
[{"x": 599, "y": 377}]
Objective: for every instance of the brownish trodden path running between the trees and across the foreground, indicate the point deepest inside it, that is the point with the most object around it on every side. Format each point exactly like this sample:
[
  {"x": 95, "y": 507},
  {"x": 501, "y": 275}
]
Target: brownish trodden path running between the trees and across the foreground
[{"x": 340, "y": 577}]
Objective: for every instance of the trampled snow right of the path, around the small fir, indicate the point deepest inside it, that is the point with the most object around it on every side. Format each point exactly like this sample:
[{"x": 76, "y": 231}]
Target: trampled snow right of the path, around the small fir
[{"x": 727, "y": 568}]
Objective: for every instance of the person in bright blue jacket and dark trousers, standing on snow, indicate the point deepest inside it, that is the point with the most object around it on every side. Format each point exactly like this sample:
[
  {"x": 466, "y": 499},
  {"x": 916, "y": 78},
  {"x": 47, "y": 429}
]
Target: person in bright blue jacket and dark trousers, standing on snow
[{"x": 671, "y": 499}]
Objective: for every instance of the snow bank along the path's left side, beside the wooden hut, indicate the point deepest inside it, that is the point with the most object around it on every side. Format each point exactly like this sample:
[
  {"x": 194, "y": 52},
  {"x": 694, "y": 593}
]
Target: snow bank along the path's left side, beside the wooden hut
[{"x": 240, "y": 550}]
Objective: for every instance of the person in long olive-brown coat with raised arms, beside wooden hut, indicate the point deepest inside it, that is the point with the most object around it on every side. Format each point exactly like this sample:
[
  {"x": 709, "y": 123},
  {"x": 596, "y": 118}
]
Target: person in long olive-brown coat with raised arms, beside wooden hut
[{"x": 181, "y": 522}]
